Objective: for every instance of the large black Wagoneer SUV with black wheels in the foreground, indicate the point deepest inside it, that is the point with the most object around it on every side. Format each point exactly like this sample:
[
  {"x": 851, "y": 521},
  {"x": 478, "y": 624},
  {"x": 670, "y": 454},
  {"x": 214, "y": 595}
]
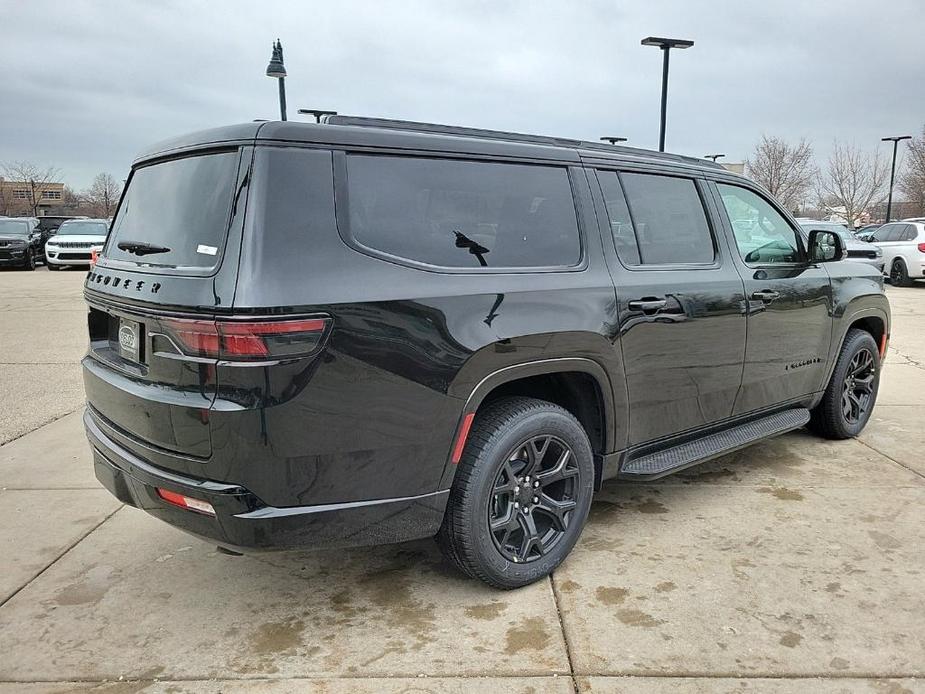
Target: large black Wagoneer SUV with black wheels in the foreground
[{"x": 367, "y": 331}]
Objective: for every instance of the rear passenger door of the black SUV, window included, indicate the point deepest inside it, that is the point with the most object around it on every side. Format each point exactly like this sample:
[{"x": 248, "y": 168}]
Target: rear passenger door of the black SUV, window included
[{"x": 679, "y": 302}]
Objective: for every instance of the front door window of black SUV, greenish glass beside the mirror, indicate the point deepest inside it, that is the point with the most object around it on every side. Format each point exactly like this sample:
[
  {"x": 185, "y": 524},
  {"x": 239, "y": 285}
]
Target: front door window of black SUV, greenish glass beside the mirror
[{"x": 761, "y": 232}]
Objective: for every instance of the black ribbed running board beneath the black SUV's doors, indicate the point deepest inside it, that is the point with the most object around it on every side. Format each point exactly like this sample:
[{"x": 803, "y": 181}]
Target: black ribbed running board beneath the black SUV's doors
[{"x": 667, "y": 460}]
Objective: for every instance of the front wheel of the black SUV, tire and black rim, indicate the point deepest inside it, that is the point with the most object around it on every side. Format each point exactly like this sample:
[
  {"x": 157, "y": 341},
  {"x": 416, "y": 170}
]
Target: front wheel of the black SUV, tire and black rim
[{"x": 839, "y": 415}]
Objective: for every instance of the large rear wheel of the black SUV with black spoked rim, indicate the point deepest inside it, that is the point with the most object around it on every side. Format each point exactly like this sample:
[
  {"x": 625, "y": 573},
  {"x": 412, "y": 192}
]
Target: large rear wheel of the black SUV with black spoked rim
[{"x": 491, "y": 485}]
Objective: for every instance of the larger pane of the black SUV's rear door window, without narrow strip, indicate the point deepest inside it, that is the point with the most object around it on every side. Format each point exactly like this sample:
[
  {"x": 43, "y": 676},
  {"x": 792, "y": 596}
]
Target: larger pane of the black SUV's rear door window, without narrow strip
[{"x": 671, "y": 226}]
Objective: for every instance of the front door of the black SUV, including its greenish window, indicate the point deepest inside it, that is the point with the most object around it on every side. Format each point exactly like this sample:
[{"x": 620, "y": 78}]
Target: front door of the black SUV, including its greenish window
[{"x": 789, "y": 302}]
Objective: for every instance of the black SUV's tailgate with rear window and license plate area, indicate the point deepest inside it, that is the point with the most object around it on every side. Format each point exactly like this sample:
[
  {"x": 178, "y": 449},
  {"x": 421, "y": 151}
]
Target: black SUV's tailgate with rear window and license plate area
[{"x": 171, "y": 256}]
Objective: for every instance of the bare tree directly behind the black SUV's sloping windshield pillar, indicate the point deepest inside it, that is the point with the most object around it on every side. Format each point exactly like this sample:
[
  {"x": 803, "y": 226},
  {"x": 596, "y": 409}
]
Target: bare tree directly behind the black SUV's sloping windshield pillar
[{"x": 786, "y": 170}]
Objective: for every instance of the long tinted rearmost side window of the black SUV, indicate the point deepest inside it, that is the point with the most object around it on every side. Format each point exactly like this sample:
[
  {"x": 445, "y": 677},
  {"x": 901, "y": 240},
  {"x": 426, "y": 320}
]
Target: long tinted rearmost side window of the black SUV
[{"x": 463, "y": 214}]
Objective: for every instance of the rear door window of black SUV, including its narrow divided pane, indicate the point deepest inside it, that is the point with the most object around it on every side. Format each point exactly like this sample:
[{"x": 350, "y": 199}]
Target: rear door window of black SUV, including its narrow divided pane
[{"x": 664, "y": 223}]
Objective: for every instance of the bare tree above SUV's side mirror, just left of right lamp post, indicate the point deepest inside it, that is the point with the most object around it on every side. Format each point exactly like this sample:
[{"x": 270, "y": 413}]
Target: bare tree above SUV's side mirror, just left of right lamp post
[{"x": 853, "y": 180}]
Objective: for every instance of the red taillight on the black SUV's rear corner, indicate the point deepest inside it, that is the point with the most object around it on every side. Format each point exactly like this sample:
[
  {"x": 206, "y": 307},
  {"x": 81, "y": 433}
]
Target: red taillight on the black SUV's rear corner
[{"x": 247, "y": 340}]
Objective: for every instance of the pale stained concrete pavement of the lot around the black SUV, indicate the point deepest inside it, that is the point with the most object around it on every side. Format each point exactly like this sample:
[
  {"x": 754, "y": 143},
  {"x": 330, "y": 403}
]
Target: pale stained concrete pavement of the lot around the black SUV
[{"x": 794, "y": 559}]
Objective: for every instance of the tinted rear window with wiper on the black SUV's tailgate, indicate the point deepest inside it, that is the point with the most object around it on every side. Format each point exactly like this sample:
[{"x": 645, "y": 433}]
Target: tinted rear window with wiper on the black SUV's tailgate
[{"x": 182, "y": 205}]
